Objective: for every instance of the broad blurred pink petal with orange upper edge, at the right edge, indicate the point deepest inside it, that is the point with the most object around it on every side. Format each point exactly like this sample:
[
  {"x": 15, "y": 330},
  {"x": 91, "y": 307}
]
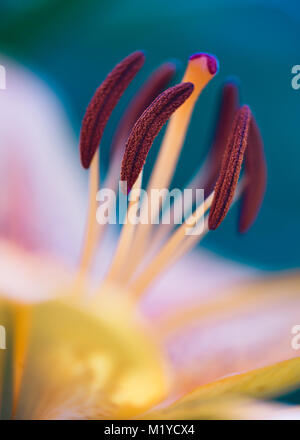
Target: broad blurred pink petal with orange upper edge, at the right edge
[{"x": 248, "y": 328}]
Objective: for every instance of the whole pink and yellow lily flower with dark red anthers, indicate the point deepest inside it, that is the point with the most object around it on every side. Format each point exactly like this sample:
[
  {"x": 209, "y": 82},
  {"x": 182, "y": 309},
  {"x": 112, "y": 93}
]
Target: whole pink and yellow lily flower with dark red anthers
[{"x": 78, "y": 348}]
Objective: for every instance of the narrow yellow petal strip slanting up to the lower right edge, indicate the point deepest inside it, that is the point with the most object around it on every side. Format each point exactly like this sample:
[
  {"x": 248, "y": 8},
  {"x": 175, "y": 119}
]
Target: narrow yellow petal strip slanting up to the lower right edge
[{"x": 262, "y": 383}]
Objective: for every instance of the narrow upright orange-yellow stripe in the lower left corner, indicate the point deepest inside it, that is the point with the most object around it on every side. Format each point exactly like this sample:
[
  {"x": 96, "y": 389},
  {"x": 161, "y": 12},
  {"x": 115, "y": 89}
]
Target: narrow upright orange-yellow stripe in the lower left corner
[{"x": 21, "y": 337}]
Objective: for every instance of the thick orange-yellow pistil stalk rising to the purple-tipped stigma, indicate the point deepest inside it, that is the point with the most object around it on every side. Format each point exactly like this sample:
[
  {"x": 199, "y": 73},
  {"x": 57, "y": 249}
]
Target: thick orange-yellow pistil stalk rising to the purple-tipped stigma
[{"x": 198, "y": 73}]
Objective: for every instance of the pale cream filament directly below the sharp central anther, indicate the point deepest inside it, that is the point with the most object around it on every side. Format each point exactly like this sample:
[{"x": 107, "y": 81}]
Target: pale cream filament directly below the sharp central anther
[{"x": 126, "y": 237}]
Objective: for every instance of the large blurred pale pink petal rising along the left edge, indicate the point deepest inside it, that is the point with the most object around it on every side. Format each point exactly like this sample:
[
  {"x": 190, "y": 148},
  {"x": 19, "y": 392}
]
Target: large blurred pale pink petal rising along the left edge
[{"x": 41, "y": 195}]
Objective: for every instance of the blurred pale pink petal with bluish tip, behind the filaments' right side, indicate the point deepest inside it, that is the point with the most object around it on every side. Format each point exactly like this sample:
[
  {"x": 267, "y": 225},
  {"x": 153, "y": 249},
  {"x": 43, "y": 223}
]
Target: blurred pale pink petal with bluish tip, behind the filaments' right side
[{"x": 199, "y": 277}]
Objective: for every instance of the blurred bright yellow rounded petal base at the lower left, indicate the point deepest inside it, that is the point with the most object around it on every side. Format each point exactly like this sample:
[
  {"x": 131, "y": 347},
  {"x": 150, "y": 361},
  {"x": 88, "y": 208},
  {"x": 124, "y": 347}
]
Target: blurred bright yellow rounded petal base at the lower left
[{"x": 85, "y": 363}]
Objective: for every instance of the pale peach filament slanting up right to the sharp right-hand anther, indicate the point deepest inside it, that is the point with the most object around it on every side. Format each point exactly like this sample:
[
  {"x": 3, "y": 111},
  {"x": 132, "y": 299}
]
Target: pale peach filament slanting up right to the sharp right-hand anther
[{"x": 158, "y": 264}]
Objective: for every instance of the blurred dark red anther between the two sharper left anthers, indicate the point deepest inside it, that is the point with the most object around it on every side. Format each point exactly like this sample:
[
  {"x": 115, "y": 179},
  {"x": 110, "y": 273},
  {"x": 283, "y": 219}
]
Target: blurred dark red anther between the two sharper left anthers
[{"x": 148, "y": 92}]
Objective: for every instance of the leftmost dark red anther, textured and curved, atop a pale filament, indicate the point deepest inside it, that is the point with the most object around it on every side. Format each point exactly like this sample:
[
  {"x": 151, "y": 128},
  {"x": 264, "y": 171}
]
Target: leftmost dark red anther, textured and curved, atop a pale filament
[{"x": 103, "y": 102}]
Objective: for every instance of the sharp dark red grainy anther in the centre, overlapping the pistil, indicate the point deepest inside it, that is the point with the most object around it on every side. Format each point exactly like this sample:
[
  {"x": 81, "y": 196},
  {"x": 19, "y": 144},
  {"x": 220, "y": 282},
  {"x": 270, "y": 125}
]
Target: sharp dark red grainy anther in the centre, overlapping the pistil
[{"x": 147, "y": 127}]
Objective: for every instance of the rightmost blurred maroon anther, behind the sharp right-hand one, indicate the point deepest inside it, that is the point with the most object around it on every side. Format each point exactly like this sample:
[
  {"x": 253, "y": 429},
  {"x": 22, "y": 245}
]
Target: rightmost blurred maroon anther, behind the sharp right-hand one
[{"x": 256, "y": 174}]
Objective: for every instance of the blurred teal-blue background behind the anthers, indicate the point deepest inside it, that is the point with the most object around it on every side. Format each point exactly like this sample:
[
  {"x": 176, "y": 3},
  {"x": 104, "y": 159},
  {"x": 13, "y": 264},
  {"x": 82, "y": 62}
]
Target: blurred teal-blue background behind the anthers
[{"x": 73, "y": 44}]
